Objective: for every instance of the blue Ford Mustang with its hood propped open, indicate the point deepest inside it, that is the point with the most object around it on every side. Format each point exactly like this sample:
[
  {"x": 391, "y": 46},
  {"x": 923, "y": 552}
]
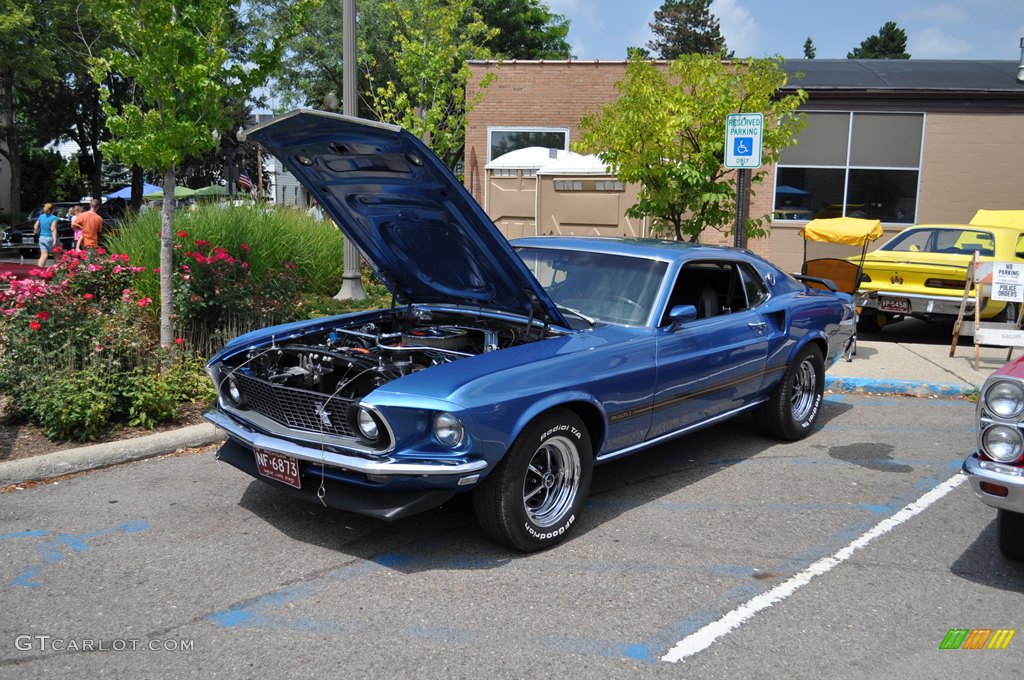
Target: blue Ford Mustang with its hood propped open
[{"x": 505, "y": 370}]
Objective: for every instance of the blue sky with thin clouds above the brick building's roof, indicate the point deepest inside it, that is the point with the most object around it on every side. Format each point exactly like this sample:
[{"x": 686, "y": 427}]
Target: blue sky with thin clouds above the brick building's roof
[{"x": 936, "y": 30}]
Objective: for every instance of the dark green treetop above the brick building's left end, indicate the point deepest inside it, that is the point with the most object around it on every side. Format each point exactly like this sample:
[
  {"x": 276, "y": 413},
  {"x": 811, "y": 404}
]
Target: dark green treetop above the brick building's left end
[{"x": 528, "y": 30}]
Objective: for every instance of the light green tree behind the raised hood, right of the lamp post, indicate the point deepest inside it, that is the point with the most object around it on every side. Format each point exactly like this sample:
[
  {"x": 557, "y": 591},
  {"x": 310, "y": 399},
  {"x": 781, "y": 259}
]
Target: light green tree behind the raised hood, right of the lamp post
[{"x": 434, "y": 40}]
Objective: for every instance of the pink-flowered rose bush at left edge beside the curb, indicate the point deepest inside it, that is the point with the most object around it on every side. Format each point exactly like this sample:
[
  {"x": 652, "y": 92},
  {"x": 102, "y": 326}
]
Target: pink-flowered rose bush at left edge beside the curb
[{"x": 79, "y": 349}]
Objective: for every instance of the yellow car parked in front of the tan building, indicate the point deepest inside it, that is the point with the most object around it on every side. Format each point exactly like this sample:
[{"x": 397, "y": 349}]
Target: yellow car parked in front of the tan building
[{"x": 922, "y": 272}]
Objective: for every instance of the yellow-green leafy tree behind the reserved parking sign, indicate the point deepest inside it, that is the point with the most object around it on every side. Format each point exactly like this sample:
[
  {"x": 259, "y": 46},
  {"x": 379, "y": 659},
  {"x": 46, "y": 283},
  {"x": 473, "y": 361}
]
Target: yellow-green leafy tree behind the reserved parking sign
[{"x": 667, "y": 133}]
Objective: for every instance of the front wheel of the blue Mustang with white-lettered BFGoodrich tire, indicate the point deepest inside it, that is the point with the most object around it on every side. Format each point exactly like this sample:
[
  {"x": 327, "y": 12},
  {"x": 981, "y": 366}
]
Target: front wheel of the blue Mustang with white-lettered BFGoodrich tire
[{"x": 534, "y": 497}]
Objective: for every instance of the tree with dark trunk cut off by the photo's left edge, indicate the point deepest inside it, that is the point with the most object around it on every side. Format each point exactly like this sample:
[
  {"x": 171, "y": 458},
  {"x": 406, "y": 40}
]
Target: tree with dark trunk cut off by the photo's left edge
[{"x": 26, "y": 62}]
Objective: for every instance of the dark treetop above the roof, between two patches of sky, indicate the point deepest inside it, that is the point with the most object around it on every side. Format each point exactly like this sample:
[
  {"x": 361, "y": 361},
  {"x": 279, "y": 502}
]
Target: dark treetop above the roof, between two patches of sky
[{"x": 687, "y": 27}]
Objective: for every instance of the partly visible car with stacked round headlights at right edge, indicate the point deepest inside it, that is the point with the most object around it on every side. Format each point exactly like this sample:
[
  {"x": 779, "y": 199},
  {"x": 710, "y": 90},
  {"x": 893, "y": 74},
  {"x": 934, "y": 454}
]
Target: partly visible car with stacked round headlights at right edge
[{"x": 996, "y": 471}]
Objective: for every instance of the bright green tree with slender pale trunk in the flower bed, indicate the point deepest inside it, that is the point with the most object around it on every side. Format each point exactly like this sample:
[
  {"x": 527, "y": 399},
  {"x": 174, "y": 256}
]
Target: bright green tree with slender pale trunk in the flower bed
[{"x": 188, "y": 79}]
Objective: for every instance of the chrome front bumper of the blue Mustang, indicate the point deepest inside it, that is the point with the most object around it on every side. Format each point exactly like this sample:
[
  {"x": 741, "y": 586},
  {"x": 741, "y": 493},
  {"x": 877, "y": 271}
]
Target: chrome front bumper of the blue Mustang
[{"x": 386, "y": 465}]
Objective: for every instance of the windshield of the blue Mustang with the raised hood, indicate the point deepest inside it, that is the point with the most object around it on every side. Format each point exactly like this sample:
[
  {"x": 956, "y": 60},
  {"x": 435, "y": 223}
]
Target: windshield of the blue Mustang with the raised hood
[{"x": 616, "y": 289}]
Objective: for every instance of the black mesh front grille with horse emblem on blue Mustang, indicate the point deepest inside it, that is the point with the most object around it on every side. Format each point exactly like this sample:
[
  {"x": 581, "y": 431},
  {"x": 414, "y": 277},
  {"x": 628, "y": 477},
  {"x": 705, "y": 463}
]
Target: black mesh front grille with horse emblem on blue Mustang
[{"x": 297, "y": 409}]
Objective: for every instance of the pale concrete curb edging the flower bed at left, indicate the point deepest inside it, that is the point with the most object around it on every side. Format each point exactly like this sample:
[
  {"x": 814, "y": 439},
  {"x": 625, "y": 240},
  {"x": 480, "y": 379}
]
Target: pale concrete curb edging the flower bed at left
[{"x": 98, "y": 456}]
